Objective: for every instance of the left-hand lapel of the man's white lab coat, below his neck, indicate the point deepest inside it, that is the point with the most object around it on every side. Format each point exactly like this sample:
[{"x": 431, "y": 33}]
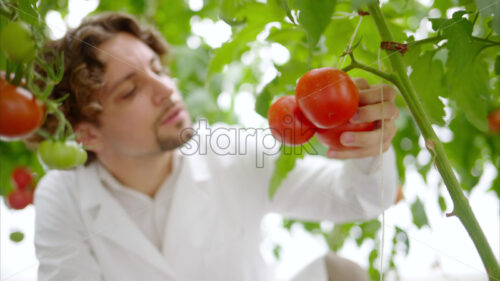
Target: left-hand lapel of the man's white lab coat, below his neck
[{"x": 108, "y": 218}]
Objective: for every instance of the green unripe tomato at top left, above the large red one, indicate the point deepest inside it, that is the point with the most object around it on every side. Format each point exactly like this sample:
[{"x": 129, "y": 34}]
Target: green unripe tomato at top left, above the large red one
[{"x": 17, "y": 43}]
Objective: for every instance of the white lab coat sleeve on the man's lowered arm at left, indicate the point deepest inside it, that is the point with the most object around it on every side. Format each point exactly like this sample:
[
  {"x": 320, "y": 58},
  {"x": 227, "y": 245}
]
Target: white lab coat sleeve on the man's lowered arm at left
[{"x": 61, "y": 243}]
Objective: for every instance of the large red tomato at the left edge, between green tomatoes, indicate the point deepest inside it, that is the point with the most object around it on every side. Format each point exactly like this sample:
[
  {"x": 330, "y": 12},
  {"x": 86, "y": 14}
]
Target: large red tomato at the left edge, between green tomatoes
[{"x": 20, "y": 112}]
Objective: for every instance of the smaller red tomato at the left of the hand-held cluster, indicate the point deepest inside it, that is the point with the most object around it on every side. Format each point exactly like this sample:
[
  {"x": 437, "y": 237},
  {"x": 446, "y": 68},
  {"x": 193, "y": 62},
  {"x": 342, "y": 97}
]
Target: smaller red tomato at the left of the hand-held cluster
[{"x": 288, "y": 124}]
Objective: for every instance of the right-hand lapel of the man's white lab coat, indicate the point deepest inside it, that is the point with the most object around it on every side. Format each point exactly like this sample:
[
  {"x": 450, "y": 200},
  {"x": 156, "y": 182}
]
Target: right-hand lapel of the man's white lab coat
[{"x": 191, "y": 214}]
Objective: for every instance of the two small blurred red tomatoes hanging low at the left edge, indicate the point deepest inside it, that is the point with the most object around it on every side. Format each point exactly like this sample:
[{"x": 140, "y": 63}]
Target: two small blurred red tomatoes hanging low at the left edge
[{"x": 24, "y": 185}]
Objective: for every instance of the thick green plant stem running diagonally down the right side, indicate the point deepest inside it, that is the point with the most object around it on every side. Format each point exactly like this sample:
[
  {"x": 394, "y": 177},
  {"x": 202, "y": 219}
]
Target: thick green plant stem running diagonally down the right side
[{"x": 461, "y": 208}]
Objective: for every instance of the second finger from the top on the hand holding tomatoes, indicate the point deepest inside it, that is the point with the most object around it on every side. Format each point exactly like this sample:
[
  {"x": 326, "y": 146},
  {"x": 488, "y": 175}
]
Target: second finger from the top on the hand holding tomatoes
[{"x": 374, "y": 112}]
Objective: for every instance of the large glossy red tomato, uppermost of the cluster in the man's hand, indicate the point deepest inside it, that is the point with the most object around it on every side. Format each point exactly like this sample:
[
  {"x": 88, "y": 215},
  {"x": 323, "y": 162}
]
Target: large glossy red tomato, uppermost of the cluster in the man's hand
[{"x": 327, "y": 97}]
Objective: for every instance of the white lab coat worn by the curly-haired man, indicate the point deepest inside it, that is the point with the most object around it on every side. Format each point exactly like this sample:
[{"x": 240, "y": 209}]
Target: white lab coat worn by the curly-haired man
[{"x": 213, "y": 228}]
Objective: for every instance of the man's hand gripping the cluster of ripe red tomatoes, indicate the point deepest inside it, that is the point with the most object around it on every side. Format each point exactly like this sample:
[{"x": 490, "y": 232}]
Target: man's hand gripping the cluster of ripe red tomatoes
[{"x": 371, "y": 107}]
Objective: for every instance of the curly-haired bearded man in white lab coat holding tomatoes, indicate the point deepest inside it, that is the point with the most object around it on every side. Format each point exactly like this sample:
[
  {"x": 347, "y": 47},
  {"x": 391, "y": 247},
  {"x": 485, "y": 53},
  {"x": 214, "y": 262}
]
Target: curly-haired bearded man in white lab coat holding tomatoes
[{"x": 157, "y": 200}]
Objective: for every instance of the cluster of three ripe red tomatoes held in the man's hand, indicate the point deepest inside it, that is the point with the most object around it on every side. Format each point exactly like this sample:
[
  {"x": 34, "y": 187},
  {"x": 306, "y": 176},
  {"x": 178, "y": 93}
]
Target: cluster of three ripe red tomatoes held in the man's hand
[{"x": 324, "y": 102}]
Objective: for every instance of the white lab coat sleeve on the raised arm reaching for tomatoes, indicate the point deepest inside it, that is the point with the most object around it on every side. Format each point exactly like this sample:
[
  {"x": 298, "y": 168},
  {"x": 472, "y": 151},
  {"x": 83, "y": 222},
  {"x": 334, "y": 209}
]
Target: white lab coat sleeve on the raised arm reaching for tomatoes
[{"x": 319, "y": 188}]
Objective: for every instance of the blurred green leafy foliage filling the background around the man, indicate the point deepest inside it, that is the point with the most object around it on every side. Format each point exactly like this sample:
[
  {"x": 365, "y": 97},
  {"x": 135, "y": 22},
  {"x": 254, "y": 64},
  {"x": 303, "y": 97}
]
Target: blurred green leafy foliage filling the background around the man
[{"x": 456, "y": 75}]
